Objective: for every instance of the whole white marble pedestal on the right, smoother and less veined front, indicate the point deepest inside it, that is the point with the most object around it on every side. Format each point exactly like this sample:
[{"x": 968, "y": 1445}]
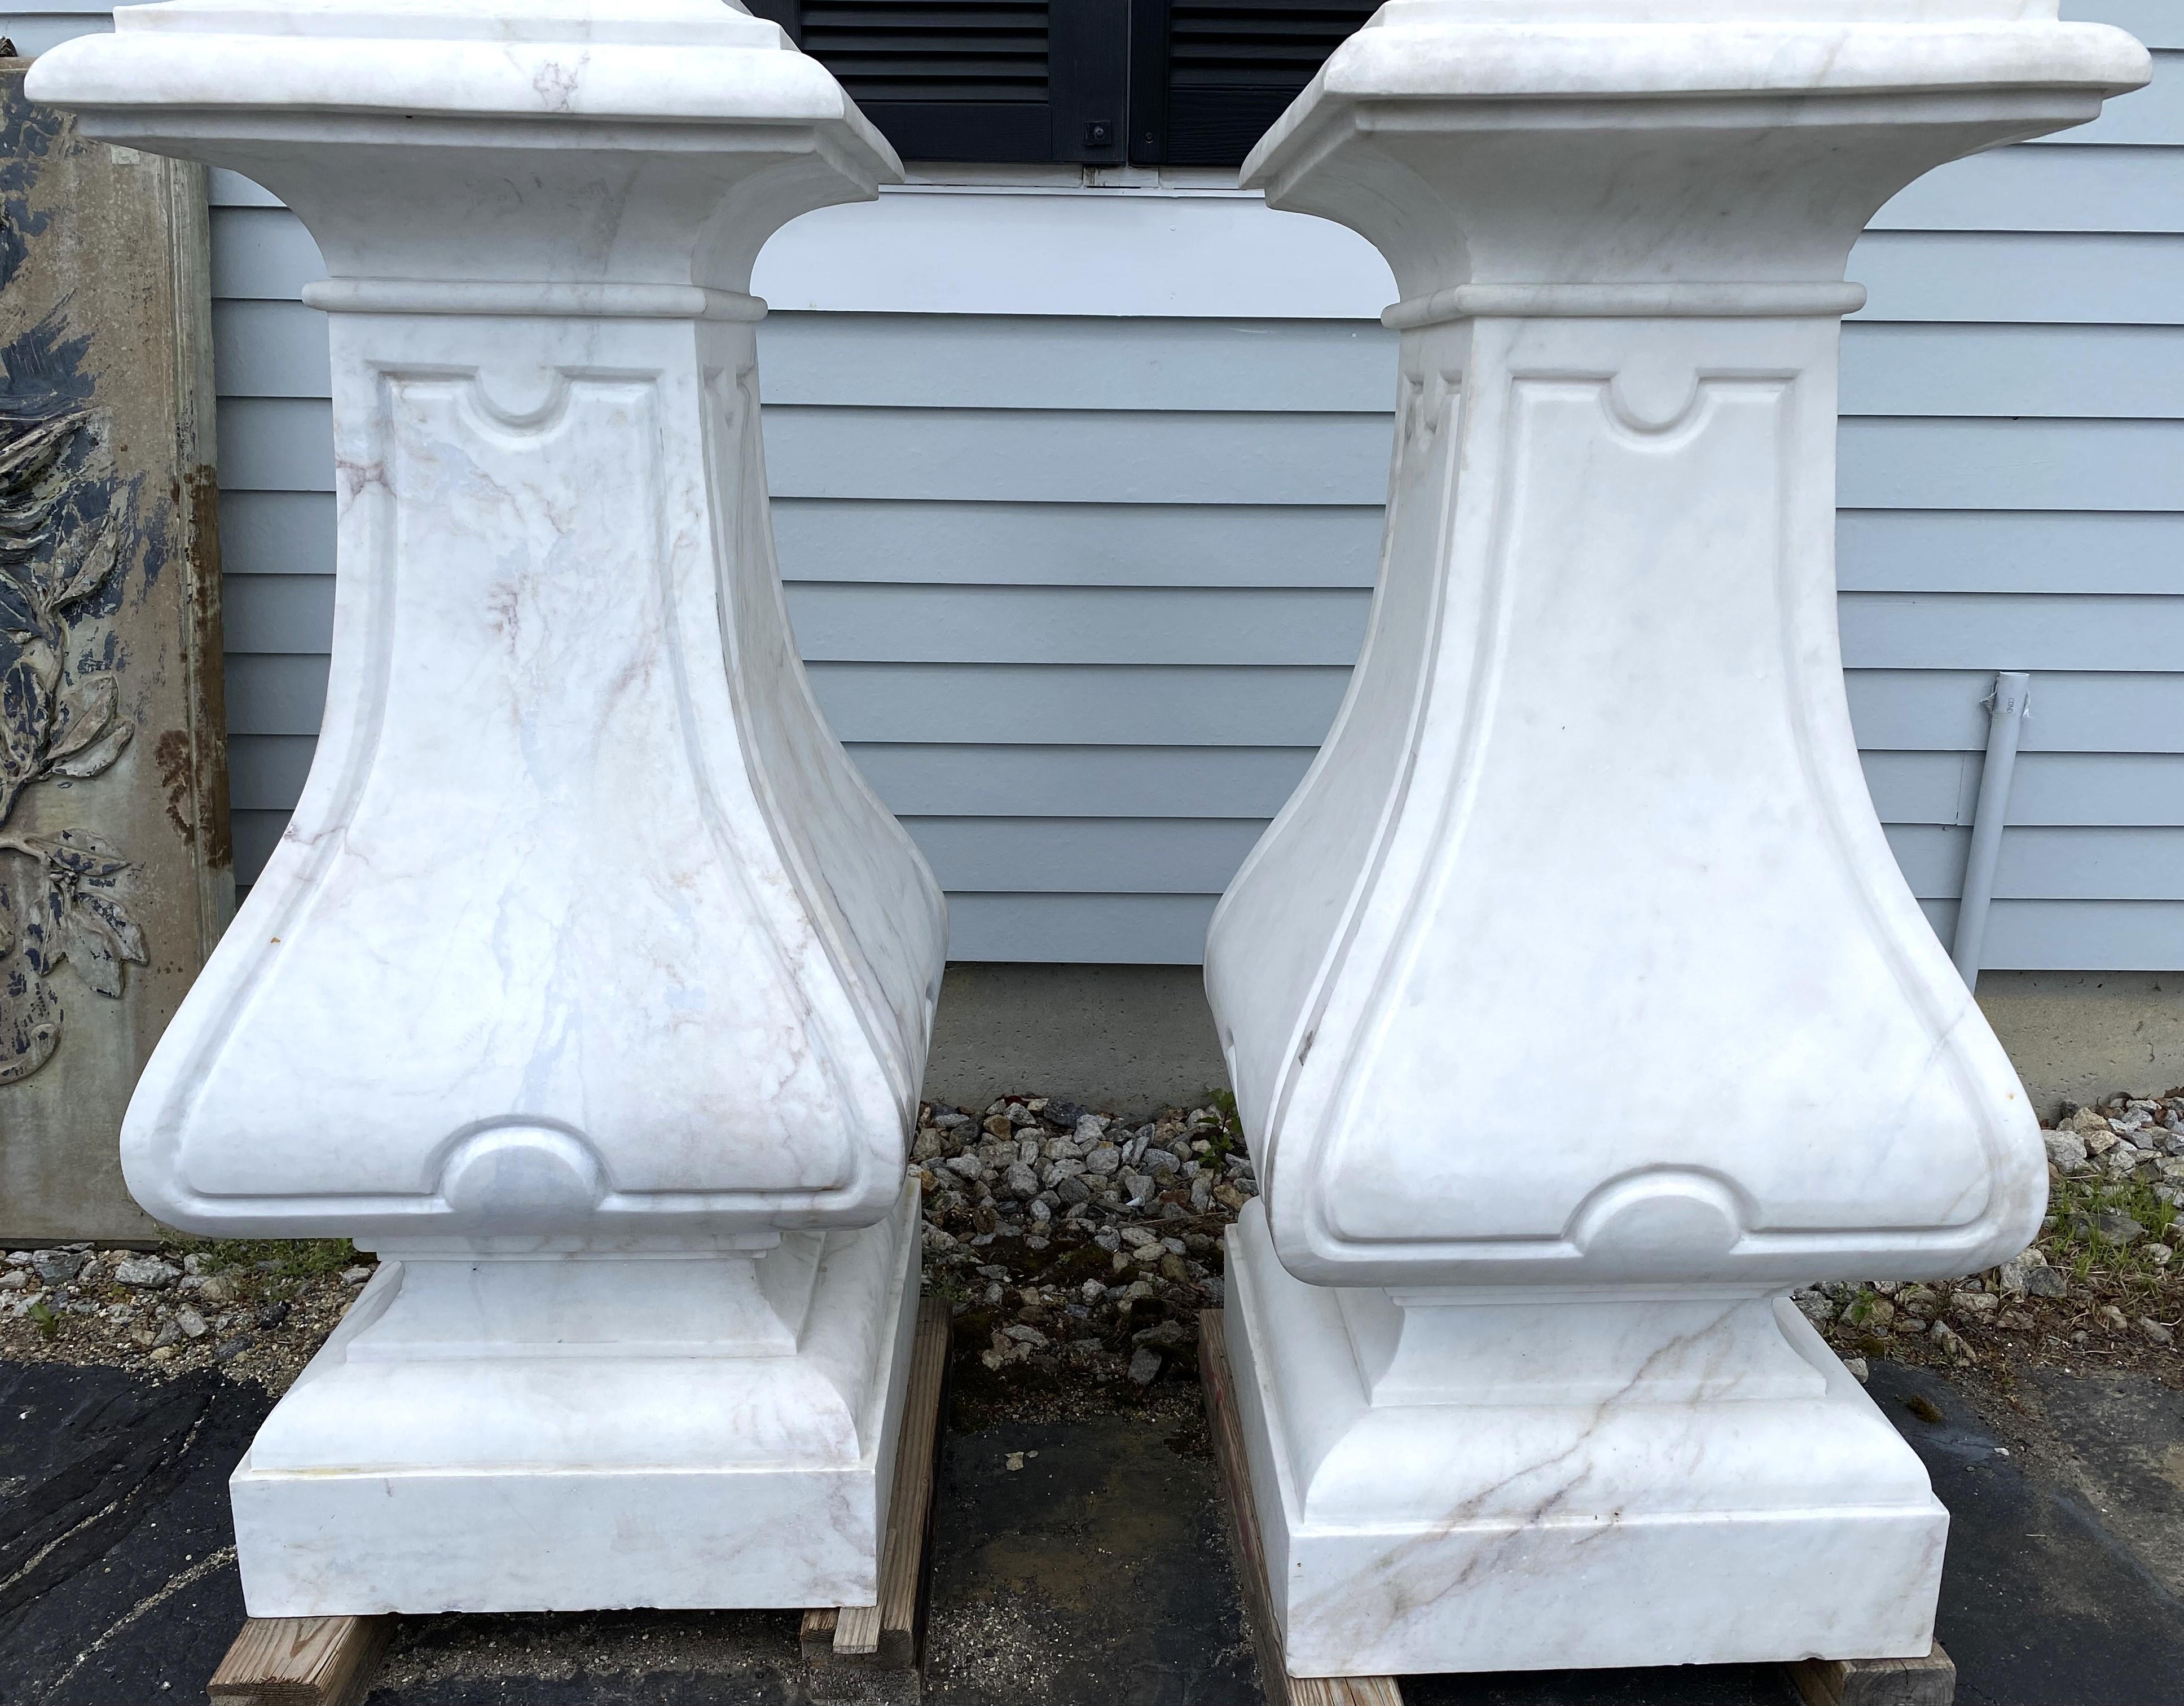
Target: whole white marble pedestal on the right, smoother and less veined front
[{"x": 1591, "y": 825}]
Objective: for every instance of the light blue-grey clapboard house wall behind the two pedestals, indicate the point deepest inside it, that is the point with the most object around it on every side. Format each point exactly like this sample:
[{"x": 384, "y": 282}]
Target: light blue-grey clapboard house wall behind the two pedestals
[{"x": 1078, "y": 501}]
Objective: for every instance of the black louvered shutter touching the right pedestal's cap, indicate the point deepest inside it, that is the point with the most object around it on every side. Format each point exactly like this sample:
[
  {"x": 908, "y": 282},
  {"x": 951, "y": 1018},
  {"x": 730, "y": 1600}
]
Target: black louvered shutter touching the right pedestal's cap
[{"x": 1211, "y": 75}]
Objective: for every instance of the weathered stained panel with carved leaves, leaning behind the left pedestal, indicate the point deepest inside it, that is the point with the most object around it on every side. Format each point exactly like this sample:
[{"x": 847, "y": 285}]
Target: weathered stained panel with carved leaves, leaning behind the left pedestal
[{"x": 115, "y": 862}]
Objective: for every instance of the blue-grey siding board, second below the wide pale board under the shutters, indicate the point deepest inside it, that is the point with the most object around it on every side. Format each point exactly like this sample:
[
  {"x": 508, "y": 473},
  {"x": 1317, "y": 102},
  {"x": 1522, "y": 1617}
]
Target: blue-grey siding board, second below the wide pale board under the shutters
[{"x": 285, "y": 445}]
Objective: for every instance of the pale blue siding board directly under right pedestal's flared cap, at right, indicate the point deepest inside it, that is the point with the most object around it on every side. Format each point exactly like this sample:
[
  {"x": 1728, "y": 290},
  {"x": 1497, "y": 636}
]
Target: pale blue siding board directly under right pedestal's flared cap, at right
[{"x": 2122, "y": 189}]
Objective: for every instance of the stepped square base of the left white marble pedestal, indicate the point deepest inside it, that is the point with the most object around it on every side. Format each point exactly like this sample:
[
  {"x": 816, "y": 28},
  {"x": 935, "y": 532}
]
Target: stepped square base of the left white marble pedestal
[{"x": 593, "y": 1430}]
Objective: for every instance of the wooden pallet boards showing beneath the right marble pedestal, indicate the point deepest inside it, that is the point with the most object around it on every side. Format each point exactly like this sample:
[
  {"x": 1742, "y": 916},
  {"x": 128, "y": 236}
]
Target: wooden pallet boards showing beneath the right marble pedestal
[{"x": 1820, "y": 1681}]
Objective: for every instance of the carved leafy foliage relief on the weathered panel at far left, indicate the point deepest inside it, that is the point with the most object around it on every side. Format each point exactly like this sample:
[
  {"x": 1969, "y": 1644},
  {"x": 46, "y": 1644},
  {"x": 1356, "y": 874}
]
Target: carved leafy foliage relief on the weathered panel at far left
[{"x": 62, "y": 895}]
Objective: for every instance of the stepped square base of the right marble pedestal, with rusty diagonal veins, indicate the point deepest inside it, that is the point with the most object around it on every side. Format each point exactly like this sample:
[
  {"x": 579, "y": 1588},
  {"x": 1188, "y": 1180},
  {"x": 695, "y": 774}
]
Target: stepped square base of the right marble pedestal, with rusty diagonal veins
[{"x": 1541, "y": 1526}]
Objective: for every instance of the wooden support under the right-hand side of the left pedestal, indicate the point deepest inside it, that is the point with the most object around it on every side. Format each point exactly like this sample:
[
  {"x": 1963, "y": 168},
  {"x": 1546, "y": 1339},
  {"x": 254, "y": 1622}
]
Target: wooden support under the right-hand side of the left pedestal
[{"x": 890, "y": 1635}]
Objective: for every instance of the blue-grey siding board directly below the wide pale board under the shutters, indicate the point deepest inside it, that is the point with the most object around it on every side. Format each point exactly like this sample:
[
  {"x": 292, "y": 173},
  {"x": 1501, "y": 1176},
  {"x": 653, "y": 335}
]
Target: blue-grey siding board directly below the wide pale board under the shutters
[{"x": 1213, "y": 366}]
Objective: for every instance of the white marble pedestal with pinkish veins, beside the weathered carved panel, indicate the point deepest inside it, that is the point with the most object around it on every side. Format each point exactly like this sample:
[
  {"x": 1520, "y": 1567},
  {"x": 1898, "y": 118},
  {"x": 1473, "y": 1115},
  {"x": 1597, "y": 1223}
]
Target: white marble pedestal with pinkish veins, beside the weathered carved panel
[{"x": 589, "y": 986}]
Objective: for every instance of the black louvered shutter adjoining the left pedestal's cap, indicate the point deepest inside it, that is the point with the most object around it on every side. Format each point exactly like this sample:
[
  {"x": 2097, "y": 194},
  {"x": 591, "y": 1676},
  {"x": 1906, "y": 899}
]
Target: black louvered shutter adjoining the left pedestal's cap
[{"x": 975, "y": 80}]
